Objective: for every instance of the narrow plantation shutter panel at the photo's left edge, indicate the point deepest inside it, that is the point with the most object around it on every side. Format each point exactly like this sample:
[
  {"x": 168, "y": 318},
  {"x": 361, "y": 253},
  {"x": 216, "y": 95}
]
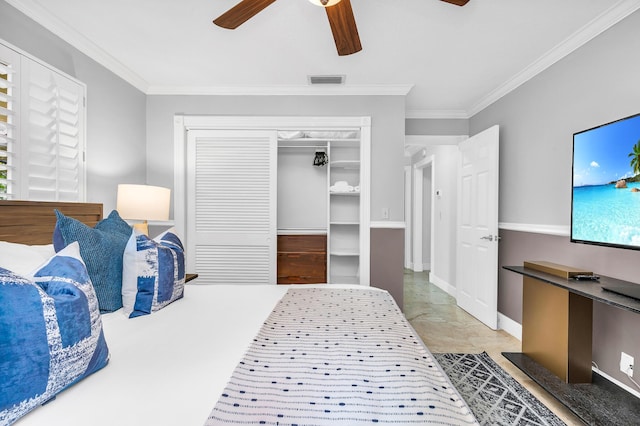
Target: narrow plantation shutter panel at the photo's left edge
[{"x": 9, "y": 92}]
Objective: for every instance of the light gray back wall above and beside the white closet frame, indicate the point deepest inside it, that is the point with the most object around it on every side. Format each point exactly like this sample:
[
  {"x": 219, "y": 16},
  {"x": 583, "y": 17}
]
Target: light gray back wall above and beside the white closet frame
[{"x": 387, "y": 133}]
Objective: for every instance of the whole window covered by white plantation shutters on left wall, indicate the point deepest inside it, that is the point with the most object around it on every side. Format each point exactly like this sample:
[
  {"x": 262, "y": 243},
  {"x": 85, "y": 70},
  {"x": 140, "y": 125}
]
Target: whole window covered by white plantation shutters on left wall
[{"x": 42, "y": 141}]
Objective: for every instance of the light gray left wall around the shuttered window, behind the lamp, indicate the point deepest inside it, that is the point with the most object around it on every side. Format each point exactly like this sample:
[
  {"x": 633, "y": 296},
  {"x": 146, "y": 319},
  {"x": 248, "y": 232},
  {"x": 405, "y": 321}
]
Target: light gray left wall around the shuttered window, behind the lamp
[{"x": 116, "y": 137}]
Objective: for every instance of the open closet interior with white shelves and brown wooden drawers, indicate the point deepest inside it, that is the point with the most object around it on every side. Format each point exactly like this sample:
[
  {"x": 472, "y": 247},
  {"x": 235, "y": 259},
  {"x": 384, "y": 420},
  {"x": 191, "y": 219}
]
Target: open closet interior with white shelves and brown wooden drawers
[{"x": 319, "y": 207}]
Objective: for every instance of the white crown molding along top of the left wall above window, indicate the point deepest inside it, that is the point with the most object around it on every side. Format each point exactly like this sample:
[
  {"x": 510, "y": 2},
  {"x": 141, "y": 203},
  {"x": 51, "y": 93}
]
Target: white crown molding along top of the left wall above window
[{"x": 77, "y": 40}]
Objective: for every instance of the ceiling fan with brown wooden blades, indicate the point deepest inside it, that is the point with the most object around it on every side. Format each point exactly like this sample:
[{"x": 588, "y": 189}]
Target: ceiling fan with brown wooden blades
[{"x": 339, "y": 12}]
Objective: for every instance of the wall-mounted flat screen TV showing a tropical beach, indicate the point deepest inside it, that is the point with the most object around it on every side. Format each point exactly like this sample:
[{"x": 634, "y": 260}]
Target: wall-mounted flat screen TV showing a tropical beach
[{"x": 605, "y": 206}]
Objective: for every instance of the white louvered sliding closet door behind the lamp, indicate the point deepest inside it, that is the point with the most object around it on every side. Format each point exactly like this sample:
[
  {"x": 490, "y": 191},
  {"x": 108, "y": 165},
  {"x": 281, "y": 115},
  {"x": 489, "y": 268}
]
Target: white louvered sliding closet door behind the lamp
[{"x": 231, "y": 205}]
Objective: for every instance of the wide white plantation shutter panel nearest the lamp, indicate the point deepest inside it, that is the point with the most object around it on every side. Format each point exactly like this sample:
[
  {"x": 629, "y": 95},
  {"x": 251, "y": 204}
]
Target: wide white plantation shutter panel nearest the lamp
[{"x": 52, "y": 165}]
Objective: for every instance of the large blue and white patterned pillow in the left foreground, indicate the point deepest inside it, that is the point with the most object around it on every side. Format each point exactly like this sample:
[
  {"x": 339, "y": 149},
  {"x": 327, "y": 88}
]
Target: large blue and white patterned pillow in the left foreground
[{"x": 50, "y": 333}]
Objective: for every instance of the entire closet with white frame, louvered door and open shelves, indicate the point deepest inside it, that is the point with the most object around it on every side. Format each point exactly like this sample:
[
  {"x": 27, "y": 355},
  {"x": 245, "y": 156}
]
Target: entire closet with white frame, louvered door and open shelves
[{"x": 274, "y": 199}]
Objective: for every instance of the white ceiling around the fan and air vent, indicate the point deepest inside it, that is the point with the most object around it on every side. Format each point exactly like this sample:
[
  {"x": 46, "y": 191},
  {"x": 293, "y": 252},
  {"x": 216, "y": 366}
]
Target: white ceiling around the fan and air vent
[{"x": 452, "y": 61}]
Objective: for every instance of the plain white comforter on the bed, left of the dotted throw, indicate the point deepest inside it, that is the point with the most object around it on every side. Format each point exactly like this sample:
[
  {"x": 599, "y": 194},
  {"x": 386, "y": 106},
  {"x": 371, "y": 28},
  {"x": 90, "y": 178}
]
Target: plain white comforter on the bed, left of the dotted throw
[{"x": 168, "y": 368}]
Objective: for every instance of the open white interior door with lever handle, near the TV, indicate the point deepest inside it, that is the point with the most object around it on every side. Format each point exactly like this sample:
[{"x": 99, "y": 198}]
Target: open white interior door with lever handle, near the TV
[{"x": 477, "y": 245}]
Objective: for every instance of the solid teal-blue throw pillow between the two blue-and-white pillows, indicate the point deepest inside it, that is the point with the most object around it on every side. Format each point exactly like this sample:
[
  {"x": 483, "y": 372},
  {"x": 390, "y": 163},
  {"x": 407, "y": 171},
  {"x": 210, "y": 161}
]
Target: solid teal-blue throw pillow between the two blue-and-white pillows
[{"x": 101, "y": 248}]
